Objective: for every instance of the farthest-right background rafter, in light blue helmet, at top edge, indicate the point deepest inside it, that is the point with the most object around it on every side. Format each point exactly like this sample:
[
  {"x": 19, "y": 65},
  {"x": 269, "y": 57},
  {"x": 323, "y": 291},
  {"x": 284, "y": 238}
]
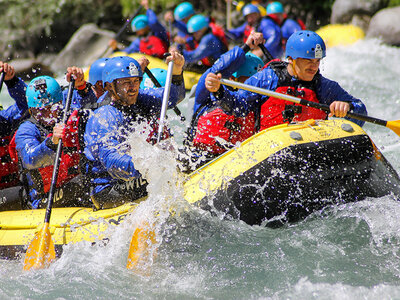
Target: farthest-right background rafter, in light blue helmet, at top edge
[{"x": 288, "y": 26}]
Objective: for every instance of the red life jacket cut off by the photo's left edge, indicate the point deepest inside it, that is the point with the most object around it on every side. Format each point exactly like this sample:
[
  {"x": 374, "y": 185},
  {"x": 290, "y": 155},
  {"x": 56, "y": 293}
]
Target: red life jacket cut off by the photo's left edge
[{"x": 9, "y": 167}]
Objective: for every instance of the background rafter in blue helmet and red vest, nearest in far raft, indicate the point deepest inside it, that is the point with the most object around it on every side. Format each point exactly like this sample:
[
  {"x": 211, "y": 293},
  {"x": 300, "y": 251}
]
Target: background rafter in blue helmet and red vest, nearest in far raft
[{"x": 209, "y": 44}]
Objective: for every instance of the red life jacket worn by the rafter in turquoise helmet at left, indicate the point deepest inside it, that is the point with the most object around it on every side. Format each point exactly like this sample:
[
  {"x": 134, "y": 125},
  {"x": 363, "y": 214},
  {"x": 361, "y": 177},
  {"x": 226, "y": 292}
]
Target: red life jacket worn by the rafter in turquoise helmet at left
[{"x": 69, "y": 163}]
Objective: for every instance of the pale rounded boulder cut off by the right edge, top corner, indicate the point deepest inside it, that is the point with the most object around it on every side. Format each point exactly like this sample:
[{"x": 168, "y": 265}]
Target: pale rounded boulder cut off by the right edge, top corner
[{"x": 386, "y": 26}]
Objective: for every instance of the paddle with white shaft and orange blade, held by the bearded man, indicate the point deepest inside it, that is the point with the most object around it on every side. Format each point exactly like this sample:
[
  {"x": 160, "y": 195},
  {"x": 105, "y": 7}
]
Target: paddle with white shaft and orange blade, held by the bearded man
[{"x": 144, "y": 235}]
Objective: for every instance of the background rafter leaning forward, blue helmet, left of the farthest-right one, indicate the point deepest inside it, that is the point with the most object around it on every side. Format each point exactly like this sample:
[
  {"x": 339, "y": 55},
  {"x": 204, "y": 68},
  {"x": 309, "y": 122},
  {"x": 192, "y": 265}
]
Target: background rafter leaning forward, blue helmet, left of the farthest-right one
[{"x": 254, "y": 22}]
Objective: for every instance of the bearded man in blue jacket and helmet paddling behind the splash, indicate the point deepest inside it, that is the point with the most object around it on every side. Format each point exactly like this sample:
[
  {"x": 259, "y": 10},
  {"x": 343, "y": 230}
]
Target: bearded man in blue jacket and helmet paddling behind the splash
[{"x": 114, "y": 177}]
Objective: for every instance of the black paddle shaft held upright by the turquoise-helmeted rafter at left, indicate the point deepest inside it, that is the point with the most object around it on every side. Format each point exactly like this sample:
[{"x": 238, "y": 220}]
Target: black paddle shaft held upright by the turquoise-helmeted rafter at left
[{"x": 58, "y": 155}]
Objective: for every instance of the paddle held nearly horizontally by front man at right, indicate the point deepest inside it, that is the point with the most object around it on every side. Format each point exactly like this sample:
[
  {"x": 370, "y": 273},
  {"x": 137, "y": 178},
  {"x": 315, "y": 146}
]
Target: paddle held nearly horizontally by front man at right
[{"x": 393, "y": 125}]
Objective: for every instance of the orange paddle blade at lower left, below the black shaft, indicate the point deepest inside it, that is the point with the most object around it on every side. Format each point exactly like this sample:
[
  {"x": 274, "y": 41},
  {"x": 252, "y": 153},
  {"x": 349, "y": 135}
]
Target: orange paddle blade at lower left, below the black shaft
[{"x": 41, "y": 251}]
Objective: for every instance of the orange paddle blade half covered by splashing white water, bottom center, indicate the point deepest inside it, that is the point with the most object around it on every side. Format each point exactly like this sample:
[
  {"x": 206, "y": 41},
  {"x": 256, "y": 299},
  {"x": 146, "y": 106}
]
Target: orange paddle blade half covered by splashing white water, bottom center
[{"x": 141, "y": 248}]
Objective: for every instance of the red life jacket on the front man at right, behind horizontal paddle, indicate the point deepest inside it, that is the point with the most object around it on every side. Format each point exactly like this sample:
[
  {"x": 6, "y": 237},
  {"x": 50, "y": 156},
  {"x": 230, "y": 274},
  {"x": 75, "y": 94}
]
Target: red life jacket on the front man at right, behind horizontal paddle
[{"x": 272, "y": 110}]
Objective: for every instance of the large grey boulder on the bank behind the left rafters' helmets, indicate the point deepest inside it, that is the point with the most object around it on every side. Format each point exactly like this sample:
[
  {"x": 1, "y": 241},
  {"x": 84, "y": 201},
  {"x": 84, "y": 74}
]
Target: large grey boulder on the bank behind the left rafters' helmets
[{"x": 86, "y": 45}]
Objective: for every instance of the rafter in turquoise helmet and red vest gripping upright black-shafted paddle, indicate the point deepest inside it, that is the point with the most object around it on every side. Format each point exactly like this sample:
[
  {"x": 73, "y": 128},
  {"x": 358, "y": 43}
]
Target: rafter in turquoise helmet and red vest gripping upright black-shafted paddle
[{"x": 36, "y": 144}]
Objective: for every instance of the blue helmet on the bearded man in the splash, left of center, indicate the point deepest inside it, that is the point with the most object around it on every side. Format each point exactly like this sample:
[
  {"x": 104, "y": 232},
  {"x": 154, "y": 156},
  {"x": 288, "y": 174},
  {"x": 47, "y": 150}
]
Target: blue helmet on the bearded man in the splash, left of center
[{"x": 121, "y": 67}]
